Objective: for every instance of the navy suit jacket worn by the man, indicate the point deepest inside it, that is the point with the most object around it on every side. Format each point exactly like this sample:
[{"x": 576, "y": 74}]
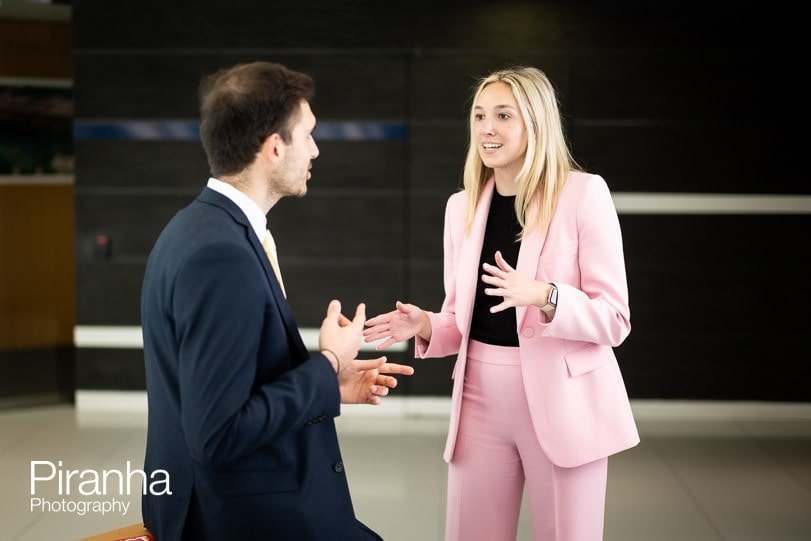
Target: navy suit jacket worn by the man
[{"x": 240, "y": 415}]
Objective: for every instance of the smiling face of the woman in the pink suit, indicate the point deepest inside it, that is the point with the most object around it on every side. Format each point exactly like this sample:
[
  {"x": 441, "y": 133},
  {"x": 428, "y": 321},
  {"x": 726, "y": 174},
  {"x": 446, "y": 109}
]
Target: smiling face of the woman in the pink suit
[{"x": 498, "y": 128}]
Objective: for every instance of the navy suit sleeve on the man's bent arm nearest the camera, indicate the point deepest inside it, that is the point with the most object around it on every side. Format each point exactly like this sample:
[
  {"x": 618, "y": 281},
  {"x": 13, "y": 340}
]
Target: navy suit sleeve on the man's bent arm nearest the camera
[{"x": 221, "y": 307}]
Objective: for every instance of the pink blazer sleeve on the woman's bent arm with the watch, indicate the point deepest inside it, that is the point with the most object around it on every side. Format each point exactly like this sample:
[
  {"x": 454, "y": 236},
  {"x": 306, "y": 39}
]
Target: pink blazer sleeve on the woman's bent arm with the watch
[{"x": 598, "y": 310}]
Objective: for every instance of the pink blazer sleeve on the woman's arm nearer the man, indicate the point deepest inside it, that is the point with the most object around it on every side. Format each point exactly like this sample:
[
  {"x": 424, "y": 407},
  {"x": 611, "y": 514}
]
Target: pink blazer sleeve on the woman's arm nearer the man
[{"x": 445, "y": 335}]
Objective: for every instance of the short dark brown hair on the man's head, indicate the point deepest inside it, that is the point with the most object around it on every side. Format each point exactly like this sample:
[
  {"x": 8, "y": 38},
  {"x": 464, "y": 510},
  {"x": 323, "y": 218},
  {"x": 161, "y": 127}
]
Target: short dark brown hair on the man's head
[{"x": 242, "y": 105}]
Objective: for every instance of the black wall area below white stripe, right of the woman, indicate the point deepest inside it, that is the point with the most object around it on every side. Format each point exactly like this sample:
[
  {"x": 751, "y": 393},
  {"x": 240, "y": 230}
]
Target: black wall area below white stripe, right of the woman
[{"x": 712, "y": 308}]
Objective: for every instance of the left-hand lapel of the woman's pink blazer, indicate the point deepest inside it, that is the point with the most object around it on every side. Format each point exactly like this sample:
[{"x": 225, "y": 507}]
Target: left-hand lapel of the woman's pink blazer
[{"x": 469, "y": 255}]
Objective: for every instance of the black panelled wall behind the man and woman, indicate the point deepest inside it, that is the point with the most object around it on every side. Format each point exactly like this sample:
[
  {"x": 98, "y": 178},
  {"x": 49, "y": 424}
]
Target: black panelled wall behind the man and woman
[{"x": 657, "y": 98}]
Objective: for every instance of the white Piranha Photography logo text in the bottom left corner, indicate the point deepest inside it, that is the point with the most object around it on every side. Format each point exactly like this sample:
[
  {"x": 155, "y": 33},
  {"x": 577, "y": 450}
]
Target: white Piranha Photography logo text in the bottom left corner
[{"x": 57, "y": 489}]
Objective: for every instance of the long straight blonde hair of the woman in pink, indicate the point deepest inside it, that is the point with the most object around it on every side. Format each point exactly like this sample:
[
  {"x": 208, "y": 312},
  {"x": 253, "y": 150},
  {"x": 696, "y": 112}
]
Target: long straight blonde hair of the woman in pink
[{"x": 547, "y": 162}]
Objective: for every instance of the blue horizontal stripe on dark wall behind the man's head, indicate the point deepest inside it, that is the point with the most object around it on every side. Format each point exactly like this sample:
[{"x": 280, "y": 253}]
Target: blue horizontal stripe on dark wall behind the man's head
[{"x": 189, "y": 130}]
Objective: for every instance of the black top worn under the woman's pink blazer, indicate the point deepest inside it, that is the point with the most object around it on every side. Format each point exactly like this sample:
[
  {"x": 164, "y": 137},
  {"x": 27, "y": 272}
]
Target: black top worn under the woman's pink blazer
[{"x": 501, "y": 234}]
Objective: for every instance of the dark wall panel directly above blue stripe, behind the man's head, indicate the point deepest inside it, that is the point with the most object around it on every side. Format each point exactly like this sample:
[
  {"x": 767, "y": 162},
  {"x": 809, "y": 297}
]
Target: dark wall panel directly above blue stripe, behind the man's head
[{"x": 165, "y": 84}]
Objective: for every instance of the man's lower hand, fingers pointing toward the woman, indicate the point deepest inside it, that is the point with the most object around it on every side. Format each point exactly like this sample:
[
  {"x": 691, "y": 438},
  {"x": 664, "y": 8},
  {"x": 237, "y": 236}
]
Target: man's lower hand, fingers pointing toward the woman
[{"x": 364, "y": 382}]
